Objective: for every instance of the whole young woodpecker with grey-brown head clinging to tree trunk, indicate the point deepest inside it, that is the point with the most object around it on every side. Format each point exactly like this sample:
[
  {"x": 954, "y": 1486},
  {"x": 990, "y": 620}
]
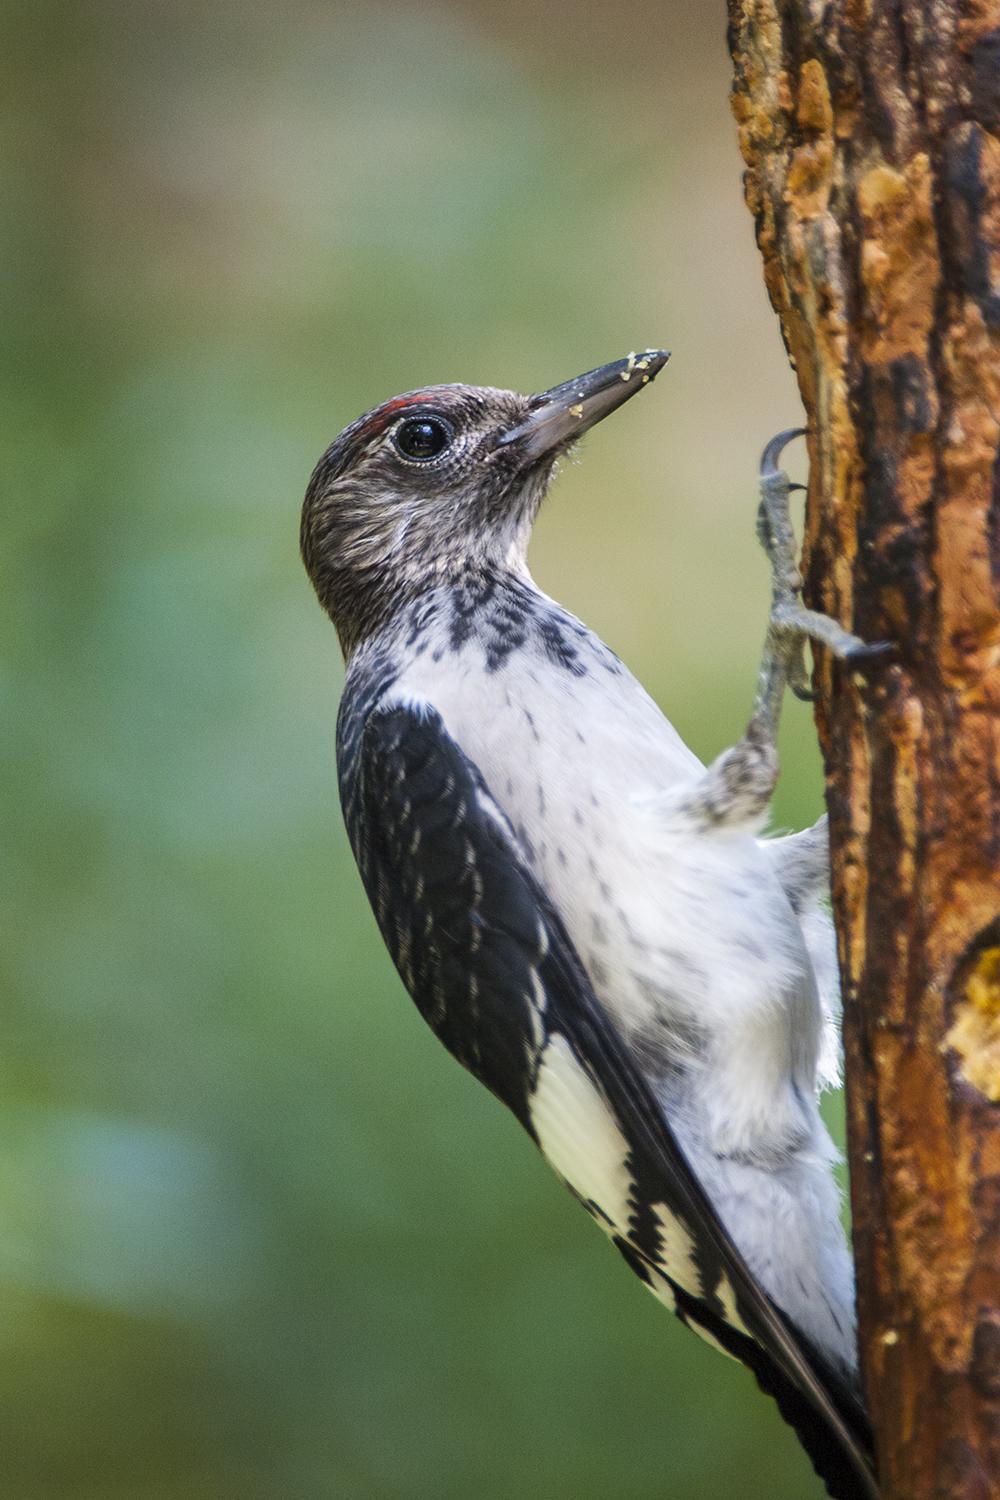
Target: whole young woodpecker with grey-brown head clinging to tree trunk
[{"x": 587, "y": 916}]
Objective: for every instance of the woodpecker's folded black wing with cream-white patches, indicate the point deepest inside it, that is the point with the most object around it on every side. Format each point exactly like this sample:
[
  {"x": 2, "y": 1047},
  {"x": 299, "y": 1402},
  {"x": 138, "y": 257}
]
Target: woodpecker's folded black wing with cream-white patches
[{"x": 493, "y": 970}]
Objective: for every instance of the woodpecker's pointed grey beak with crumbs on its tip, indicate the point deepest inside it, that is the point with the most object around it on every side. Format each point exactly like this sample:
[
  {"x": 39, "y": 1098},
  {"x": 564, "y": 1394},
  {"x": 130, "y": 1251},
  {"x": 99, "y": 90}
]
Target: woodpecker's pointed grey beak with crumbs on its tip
[{"x": 561, "y": 415}]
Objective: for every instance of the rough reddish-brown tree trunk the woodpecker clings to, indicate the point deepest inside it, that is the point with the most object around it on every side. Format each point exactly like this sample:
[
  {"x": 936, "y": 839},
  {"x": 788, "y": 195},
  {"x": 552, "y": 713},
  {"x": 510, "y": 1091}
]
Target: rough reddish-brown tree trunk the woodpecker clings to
[{"x": 872, "y": 139}]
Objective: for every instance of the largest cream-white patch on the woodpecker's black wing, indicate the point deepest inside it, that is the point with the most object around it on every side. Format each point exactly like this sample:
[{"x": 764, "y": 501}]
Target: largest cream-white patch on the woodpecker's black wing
[{"x": 579, "y": 1135}]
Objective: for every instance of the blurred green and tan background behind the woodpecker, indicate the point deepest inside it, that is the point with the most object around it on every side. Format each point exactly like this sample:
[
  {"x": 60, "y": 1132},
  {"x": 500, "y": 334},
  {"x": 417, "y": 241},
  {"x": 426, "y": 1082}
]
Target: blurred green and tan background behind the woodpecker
[{"x": 259, "y": 1235}]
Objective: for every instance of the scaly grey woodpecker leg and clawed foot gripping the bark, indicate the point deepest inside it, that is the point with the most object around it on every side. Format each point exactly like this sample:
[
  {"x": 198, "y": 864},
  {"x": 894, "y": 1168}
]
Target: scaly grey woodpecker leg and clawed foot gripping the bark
[{"x": 738, "y": 785}]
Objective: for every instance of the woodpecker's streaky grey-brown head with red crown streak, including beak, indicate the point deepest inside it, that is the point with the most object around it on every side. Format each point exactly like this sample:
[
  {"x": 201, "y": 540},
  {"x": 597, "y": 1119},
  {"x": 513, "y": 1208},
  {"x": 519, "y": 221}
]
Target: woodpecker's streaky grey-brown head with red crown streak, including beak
[{"x": 439, "y": 481}]
